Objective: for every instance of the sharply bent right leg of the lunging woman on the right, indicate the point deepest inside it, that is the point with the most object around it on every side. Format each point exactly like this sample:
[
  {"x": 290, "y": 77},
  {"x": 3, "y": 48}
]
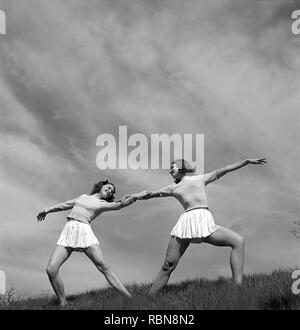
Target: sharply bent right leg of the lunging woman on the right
[{"x": 227, "y": 237}]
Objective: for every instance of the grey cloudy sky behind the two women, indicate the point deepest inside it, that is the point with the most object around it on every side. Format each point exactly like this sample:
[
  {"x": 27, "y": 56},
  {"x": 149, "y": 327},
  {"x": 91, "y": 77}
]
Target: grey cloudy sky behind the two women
[{"x": 72, "y": 70}]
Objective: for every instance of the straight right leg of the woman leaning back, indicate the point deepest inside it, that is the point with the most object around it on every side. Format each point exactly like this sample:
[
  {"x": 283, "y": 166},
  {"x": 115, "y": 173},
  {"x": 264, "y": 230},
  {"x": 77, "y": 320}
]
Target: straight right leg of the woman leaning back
[{"x": 95, "y": 254}]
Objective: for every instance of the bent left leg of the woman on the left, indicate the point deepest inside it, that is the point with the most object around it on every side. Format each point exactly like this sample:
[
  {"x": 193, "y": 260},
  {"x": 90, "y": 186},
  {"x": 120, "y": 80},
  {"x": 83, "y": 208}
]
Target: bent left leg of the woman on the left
[{"x": 59, "y": 255}]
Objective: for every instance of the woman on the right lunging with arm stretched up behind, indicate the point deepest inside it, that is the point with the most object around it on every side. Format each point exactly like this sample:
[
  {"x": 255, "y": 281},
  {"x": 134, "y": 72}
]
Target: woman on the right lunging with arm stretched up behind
[{"x": 196, "y": 224}]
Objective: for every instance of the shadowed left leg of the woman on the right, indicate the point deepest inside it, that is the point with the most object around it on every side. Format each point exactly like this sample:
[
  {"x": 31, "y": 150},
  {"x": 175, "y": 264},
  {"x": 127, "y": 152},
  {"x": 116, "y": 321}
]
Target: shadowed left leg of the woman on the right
[{"x": 175, "y": 250}]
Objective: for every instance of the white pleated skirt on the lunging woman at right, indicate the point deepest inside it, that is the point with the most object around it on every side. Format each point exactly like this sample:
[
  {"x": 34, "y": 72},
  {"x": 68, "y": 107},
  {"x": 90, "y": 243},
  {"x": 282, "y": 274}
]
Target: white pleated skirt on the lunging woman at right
[{"x": 195, "y": 225}]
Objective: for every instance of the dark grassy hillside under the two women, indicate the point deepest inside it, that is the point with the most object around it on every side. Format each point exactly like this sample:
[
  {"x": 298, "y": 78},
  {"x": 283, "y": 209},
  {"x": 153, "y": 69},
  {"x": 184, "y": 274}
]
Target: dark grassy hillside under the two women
[{"x": 259, "y": 291}]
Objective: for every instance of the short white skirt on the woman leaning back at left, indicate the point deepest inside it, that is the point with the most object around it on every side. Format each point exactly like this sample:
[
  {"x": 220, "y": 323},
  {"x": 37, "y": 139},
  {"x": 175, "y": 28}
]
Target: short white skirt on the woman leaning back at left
[{"x": 77, "y": 235}]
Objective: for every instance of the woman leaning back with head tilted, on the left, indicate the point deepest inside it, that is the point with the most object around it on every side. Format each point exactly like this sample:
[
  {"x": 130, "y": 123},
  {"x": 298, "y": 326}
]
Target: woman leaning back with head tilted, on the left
[{"x": 77, "y": 234}]
